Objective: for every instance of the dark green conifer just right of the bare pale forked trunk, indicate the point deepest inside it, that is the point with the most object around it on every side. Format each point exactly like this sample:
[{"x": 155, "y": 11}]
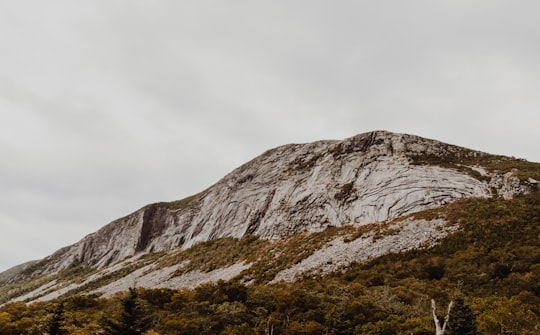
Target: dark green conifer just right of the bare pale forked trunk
[{"x": 461, "y": 319}]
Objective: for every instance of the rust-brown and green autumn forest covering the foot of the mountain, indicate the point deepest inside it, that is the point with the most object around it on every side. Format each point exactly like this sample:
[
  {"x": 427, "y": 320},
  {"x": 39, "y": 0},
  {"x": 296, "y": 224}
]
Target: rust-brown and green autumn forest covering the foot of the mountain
[{"x": 490, "y": 268}]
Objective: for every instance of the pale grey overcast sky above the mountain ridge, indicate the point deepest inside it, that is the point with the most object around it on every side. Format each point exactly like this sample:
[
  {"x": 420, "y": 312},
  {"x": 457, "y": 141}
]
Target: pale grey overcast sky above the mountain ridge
[{"x": 106, "y": 106}]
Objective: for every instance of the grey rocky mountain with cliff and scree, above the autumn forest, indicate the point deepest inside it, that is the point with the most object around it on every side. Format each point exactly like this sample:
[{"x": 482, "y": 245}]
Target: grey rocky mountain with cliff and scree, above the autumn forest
[{"x": 294, "y": 211}]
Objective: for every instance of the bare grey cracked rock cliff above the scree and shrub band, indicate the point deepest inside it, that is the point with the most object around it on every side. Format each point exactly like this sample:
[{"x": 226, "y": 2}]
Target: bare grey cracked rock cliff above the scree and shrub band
[{"x": 289, "y": 189}]
